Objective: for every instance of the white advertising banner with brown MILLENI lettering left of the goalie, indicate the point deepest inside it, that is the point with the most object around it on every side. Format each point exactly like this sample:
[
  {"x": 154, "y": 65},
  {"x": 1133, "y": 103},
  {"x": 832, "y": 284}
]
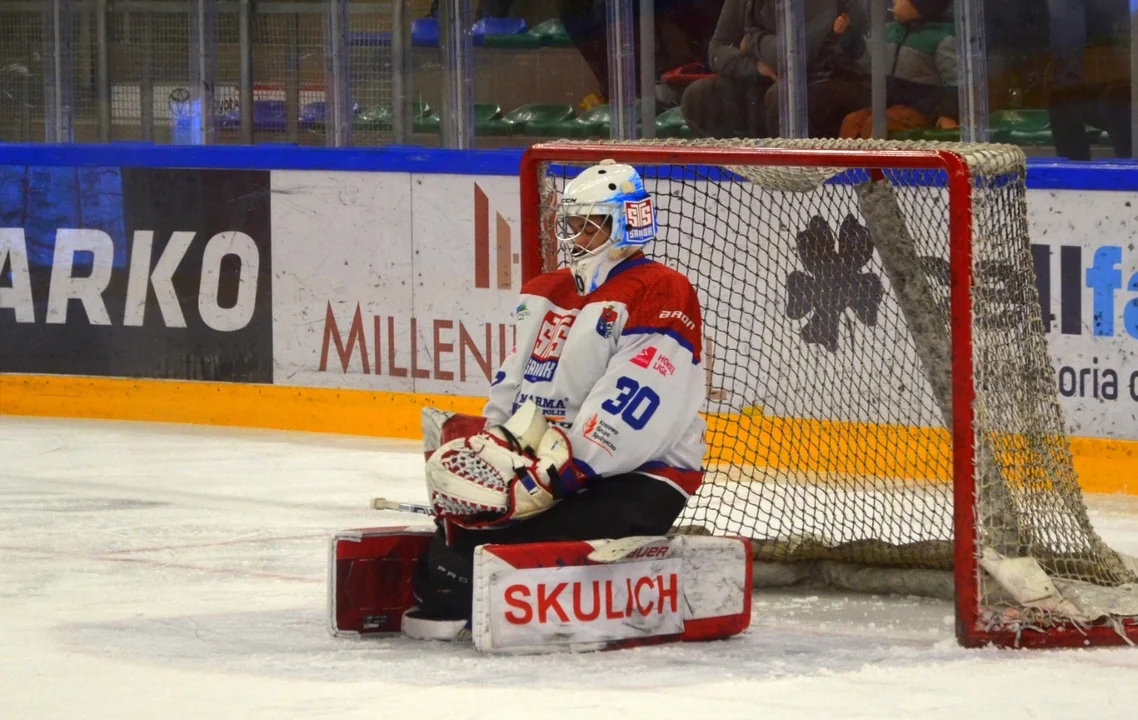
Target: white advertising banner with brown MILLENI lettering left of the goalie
[{"x": 394, "y": 282}]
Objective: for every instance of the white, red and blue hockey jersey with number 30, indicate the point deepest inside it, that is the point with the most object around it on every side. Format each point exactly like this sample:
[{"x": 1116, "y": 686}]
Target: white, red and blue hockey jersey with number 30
[{"x": 620, "y": 369}]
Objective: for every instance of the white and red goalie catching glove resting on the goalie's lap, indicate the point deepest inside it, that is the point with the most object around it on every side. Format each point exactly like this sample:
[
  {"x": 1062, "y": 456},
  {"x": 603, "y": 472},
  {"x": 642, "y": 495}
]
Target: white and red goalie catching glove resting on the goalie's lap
[{"x": 507, "y": 474}]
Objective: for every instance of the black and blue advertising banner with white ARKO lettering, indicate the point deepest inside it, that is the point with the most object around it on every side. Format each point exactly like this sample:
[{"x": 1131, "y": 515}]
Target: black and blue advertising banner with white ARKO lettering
[{"x": 136, "y": 274}]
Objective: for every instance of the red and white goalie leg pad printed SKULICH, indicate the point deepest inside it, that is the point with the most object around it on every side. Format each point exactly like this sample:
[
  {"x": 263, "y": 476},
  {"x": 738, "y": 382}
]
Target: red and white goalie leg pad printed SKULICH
[{"x": 583, "y": 597}]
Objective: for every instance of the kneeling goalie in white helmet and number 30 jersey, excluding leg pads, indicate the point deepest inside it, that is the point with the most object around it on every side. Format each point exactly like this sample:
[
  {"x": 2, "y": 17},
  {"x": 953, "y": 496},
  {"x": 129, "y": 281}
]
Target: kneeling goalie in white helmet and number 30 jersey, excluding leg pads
[{"x": 592, "y": 429}]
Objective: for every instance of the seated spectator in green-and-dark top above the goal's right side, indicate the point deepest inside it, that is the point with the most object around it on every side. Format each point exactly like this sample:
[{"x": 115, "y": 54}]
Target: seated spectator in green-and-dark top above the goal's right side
[{"x": 921, "y": 80}]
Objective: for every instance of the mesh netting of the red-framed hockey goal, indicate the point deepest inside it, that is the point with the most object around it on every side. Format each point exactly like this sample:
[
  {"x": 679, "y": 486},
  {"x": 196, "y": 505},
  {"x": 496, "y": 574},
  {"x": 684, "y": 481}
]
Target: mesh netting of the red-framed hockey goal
[{"x": 828, "y": 352}]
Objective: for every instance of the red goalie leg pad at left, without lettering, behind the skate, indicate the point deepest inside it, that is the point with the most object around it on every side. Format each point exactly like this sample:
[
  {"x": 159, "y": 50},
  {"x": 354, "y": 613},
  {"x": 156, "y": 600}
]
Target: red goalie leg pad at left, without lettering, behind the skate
[{"x": 369, "y": 578}]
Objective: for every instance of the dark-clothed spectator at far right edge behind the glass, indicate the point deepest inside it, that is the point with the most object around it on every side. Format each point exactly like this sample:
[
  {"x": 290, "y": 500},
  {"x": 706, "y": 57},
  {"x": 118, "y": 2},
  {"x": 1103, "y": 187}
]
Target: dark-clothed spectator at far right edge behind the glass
[{"x": 1074, "y": 101}]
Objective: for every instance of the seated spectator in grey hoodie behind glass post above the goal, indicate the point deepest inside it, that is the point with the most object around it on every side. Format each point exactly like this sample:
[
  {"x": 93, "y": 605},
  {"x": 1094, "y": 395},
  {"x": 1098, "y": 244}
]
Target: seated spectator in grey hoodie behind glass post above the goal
[{"x": 744, "y": 100}]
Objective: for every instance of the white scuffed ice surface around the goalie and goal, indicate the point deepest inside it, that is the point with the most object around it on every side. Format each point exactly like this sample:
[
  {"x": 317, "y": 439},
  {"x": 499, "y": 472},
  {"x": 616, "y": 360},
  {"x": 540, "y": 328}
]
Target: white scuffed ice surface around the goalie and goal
[{"x": 167, "y": 572}]
